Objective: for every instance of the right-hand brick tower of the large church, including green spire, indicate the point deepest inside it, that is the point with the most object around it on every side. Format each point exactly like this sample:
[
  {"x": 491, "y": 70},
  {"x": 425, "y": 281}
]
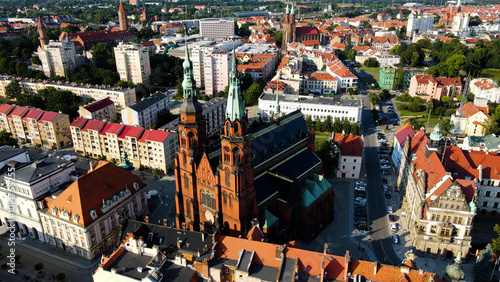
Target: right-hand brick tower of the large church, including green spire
[{"x": 239, "y": 204}]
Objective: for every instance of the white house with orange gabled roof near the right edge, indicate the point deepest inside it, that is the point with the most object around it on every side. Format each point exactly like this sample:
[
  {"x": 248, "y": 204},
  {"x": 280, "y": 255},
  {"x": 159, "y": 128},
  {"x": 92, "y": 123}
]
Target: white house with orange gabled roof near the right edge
[{"x": 469, "y": 120}]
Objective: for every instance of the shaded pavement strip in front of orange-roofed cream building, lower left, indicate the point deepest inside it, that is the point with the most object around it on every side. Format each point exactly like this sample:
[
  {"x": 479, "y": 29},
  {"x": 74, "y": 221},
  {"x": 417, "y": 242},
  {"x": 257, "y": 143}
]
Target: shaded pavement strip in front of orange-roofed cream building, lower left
[{"x": 55, "y": 253}]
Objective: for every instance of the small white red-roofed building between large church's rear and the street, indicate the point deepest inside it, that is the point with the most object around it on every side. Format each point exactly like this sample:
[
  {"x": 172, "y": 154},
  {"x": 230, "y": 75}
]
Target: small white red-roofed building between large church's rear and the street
[{"x": 350, "y": 155}]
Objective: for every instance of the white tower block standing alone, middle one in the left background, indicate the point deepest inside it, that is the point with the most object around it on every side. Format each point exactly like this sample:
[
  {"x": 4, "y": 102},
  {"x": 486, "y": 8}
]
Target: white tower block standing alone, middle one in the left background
[{"x": 132, "y": 62}]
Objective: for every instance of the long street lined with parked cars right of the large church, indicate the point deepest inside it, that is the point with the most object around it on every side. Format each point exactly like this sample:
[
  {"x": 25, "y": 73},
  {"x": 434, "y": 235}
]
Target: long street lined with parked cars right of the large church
[{"x": 377, "y": 211}]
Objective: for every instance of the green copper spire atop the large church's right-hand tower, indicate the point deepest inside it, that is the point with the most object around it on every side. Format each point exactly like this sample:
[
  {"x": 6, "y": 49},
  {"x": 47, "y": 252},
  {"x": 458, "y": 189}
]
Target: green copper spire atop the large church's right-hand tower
[{"x": 234, "y": 107}]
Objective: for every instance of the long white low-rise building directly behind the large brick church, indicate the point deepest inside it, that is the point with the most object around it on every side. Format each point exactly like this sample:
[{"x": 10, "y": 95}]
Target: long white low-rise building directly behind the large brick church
[{"x": 316, "y": 107}]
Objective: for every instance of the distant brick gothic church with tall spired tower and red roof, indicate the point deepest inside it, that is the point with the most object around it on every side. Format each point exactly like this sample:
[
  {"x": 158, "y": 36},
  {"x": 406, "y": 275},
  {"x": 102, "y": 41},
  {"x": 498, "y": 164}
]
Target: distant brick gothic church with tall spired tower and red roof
[{"x": 292, "y": 33}]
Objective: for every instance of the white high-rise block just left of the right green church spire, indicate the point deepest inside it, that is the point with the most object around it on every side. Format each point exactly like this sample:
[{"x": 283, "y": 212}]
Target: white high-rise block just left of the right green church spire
[{"x": 216, "y": 67}]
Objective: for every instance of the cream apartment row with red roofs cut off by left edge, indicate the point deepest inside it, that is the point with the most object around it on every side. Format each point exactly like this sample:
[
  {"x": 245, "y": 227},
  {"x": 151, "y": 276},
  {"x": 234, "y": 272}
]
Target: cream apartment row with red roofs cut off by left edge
[{"x": 31, "y": 125}]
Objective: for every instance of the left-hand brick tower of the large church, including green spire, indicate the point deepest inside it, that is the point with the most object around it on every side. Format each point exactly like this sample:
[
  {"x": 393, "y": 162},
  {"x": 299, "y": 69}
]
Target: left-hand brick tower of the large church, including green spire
[{"x": 192, "y": 142}]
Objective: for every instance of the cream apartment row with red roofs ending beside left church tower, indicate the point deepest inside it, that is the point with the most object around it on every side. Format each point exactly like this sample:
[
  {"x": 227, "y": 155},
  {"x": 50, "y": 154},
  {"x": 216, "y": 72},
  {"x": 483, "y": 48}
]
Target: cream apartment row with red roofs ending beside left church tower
[{"x": 154, "y": 149}]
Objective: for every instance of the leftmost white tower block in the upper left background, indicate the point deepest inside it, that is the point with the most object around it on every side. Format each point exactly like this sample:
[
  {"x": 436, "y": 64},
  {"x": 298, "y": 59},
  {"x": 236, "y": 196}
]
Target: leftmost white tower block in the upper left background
[{"x": 57, "y": 57}]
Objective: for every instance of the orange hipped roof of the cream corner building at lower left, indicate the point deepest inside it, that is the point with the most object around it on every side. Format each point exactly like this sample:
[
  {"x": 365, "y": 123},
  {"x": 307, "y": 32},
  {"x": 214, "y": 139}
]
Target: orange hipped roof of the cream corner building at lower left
[{"x": 91, "y": 190}]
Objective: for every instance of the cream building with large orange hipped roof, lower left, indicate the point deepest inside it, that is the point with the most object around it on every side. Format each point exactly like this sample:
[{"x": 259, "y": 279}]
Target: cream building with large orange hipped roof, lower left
[{"x": 85, "y": 218}]
